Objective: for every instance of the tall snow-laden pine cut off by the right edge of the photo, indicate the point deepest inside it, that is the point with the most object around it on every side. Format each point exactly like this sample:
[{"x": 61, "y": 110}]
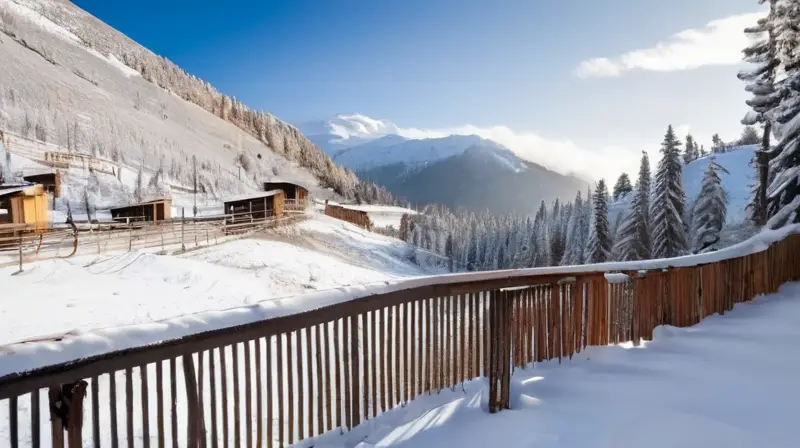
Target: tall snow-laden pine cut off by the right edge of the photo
[{"x": 783, "y": 201}]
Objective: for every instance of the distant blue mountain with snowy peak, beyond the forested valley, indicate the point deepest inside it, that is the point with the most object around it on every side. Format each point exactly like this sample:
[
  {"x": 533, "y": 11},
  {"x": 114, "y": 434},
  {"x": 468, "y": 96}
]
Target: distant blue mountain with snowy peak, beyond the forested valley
[{"x": 456, "y": 170}]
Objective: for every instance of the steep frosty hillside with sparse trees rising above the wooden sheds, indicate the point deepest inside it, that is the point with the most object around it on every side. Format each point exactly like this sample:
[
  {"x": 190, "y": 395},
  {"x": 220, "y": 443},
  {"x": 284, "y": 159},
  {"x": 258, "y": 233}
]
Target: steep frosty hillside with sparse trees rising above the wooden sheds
[{"x": 70, "y": 79}]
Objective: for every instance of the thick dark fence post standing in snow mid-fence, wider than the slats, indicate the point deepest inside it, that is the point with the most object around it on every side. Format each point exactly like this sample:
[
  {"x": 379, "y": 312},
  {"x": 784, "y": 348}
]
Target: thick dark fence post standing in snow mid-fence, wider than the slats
[{"x": 500, "y": 317}]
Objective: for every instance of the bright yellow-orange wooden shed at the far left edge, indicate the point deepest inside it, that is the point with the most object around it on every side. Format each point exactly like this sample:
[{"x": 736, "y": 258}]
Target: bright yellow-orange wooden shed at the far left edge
[{"x": 24, "y": 205}]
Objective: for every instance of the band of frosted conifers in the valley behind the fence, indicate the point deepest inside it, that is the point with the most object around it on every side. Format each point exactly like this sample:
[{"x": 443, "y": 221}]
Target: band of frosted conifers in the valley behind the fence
[{"x": 657, "y": 223}]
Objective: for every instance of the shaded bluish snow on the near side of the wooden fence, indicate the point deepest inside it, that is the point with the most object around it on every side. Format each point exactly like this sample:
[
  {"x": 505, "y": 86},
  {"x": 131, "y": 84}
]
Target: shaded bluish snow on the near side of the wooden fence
[{"x": 730, "y": 381}]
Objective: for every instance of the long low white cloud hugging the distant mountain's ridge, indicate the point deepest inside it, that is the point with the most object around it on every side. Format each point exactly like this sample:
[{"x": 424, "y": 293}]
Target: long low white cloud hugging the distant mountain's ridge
[{"x": 560, "y": 155}]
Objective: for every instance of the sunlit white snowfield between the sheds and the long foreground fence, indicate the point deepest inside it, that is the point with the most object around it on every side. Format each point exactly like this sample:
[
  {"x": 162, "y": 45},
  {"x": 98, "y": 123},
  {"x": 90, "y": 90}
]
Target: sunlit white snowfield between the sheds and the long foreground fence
[{"x": 99, "y": 291}]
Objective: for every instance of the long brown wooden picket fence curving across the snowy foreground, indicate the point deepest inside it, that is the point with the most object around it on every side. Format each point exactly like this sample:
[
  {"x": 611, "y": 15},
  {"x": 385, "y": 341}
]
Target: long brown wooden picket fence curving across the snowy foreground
[{"x": 278, "y": 381}]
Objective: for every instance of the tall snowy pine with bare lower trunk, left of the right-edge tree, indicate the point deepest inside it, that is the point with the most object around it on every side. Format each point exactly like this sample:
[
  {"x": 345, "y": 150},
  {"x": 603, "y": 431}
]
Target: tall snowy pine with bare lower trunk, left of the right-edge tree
[{"x": 760, "y": 79}]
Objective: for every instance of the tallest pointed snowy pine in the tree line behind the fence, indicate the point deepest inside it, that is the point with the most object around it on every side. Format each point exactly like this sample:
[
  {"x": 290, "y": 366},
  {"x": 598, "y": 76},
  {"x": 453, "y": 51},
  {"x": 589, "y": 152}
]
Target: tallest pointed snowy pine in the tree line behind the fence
[{"x": 669, "y": 202}]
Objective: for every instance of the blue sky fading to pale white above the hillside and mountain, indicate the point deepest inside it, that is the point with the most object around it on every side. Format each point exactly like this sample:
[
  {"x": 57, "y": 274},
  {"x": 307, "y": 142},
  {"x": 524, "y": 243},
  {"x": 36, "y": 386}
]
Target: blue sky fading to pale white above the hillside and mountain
[{"x": 447, "y": 64}]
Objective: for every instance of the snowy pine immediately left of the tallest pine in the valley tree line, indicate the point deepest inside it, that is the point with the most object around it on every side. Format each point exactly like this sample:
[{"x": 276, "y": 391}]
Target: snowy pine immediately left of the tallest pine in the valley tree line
[{"x": 634, "y": 236}]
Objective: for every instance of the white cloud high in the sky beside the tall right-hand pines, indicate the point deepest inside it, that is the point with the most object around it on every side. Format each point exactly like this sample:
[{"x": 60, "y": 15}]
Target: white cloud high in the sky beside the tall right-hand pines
[{"x": 719, "y": 42}]
